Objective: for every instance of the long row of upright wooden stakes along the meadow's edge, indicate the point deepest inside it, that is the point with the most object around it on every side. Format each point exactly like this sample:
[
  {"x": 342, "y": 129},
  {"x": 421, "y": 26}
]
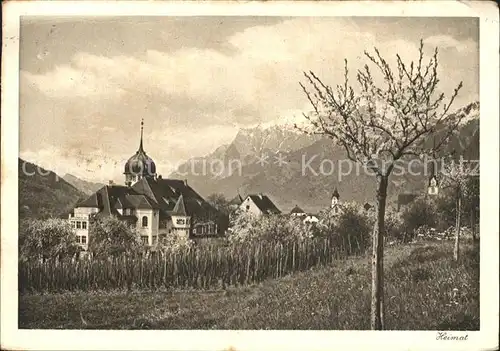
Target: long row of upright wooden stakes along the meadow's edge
[{"x": 198, "y": 268}]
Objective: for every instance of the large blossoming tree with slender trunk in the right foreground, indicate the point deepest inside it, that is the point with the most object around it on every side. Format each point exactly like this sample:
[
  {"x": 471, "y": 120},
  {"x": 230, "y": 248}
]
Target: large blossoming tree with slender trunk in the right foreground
[{"x": 380, "y": 124}]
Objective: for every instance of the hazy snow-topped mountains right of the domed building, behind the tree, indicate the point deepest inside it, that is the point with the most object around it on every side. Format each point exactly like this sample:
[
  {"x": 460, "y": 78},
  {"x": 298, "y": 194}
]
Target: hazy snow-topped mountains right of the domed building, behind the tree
[{"x": 274, "y": 161}]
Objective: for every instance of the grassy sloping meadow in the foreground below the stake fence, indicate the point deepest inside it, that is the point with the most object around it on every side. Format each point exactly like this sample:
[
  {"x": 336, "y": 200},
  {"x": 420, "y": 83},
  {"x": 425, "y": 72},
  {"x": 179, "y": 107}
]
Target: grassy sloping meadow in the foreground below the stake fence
[{"x": 425, "y": 290}]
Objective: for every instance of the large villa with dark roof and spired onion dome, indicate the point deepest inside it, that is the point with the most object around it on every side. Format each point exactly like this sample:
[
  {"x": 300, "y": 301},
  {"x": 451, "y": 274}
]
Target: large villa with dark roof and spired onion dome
[{"x": 157, "y": 207}]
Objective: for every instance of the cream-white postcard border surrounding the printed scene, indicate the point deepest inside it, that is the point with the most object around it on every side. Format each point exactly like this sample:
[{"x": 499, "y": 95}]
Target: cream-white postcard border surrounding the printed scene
[{"x": 486, "y": 338}]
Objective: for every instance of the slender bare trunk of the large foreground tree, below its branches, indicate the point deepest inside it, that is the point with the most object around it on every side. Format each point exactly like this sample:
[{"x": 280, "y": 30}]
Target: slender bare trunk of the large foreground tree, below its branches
[{"x": 377, "y": 303}]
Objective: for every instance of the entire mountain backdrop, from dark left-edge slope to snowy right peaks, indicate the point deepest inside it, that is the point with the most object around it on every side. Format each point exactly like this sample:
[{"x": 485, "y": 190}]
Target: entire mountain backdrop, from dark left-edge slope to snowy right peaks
[{"x": 281, "y": 162}]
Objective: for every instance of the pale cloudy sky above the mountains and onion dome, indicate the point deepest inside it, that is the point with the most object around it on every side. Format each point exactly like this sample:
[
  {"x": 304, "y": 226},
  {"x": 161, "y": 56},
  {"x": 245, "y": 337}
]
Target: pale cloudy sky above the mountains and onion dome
[{"x": 86, "y": 83}]
